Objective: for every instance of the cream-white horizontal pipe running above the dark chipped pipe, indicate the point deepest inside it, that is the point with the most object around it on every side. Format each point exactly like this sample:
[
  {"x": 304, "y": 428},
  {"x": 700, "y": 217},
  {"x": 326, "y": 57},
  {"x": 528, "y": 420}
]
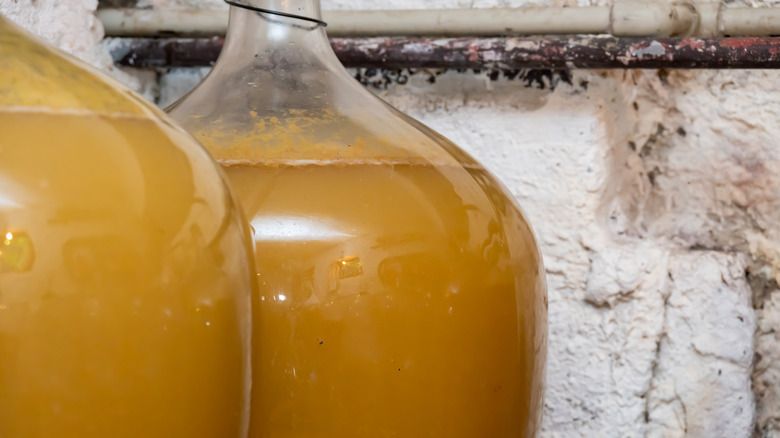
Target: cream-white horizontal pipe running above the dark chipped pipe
[{"x": 650, "y": 18}]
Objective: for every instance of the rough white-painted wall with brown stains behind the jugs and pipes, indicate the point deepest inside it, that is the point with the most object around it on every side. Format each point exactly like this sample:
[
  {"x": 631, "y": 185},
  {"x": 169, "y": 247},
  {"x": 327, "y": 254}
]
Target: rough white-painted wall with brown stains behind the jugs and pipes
[{"x": 656, "y": 198}]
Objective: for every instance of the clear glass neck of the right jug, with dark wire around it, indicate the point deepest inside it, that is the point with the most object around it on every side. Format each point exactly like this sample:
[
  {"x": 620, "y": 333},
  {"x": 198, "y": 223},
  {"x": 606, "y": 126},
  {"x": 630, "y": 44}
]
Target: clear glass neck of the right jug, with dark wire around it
[{"x": 263, "y": 38}]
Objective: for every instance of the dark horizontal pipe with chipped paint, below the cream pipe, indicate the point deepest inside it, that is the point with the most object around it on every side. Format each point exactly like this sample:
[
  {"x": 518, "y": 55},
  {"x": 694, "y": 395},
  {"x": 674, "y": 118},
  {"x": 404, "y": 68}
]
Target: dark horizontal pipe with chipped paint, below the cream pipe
[{"x": 487, "y": 53}]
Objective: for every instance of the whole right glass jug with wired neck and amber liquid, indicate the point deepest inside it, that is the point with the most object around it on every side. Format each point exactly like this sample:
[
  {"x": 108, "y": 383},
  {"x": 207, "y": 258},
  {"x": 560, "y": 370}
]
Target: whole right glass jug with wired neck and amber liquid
[{"x": 402, "y": 291}]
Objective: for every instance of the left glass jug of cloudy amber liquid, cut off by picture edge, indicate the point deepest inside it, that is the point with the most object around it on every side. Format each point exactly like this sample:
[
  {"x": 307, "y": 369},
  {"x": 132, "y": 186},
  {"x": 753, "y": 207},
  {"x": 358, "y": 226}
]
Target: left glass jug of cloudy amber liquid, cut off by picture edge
[{"x": 125, "y": 267}]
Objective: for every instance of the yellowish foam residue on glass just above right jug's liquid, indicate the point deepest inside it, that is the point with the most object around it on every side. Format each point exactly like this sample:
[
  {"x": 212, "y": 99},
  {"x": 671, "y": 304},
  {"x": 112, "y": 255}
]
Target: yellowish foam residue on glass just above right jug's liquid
[{"x": 314, "y": 136}]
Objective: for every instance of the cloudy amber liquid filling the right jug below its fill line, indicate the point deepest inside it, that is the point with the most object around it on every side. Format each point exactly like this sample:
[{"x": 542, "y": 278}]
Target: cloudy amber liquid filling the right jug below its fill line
[{"x": 396, "y": 300}]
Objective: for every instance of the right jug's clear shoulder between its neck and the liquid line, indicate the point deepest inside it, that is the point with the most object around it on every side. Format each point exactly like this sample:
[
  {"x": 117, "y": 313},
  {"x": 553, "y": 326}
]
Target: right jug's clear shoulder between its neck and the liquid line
[{"x": 302, "y": 112}]
